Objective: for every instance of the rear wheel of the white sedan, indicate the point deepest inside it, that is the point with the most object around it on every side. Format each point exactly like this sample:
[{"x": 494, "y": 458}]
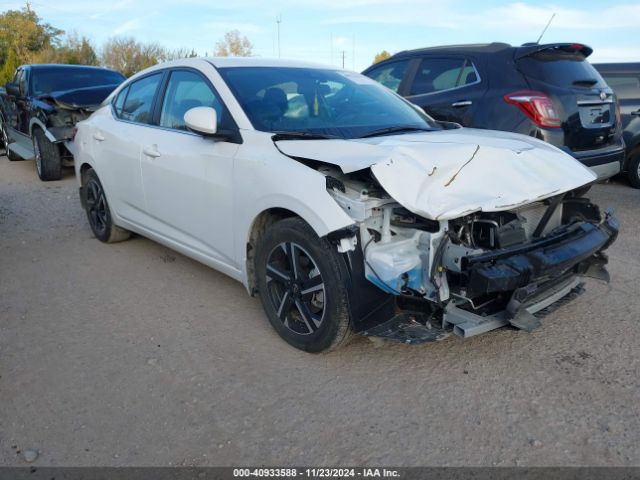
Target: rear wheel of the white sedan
[{"x": 98, "y": 211}]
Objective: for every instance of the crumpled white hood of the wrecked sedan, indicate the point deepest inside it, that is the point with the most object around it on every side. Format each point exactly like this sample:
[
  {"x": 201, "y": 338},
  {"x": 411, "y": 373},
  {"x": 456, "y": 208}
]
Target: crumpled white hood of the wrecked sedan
[{"x": 446, "y": 174}]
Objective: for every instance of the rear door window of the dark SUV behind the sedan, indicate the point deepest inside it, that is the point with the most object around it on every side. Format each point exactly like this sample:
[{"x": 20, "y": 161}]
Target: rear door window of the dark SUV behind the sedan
[{"x": 440, "y": 74}]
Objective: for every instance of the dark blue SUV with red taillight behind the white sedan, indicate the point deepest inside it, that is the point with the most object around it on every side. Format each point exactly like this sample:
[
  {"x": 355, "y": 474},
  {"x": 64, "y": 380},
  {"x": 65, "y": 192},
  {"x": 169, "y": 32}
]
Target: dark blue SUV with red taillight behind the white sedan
[{"x": 550, "y": 92}]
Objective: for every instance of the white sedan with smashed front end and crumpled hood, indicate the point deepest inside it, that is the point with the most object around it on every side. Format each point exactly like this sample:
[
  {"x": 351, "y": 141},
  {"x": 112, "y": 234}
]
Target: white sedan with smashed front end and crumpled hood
[{"x": 344, "y": 207}]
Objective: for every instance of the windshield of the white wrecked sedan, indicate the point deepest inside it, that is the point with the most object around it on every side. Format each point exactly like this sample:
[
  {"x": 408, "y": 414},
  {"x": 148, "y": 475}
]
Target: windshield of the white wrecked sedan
[{"x": 321, "y": 102}]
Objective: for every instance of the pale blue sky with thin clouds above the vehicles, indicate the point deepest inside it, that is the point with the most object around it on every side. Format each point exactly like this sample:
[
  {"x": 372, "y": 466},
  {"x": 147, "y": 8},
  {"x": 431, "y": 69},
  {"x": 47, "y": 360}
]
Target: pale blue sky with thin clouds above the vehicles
[{"x": 321, "y": 30}]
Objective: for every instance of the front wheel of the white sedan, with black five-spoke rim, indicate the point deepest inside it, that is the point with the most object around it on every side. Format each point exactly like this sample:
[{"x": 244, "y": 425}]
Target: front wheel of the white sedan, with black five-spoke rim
[{"x": 302, "y": 288}]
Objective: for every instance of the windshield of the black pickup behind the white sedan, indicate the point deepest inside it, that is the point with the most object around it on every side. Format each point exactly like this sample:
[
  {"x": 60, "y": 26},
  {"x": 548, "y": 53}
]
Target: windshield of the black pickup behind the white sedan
[{"x": 45, "y": 81}]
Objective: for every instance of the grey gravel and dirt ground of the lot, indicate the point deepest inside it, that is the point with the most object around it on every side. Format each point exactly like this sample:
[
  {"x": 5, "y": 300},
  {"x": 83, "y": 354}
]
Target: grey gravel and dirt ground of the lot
[{"x": 131, "y": 354}]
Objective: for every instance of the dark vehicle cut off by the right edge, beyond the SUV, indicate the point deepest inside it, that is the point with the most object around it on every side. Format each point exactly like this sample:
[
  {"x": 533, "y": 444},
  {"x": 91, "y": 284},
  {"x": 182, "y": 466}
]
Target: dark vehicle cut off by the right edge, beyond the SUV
[{"x": 624, "y": 78}]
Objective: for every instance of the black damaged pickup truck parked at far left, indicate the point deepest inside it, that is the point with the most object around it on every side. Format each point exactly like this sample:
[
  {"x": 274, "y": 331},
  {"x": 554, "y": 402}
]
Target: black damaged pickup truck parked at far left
[{"x": 41, "y": 105}]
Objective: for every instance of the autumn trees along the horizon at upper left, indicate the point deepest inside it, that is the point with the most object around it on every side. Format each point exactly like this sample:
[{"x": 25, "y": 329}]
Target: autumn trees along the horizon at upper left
[{"x": 26, "y": 38}]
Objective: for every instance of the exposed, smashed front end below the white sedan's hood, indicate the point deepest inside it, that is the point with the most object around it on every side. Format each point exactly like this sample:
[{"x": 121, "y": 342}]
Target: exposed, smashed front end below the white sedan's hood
[{"x": 464, "y": 275}]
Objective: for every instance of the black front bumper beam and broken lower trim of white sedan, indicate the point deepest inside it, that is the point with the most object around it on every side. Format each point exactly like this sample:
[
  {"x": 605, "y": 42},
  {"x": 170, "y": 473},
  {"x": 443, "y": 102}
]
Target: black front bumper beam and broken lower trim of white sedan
[{"x": 537, "y": 278}]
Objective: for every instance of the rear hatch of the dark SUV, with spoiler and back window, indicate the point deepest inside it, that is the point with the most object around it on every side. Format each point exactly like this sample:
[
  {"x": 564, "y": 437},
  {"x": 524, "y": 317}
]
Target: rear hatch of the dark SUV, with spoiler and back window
[{"x": 587, "y": 106}]
